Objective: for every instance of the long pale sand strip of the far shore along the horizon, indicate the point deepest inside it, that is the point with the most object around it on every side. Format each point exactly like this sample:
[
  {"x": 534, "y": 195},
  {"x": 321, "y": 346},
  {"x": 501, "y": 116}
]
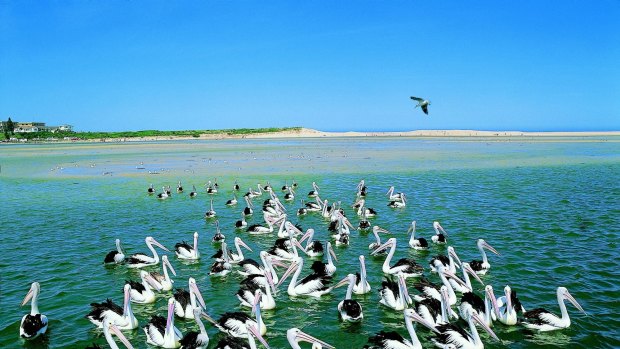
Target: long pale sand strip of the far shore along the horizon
[{"x": 311, "y": 133}]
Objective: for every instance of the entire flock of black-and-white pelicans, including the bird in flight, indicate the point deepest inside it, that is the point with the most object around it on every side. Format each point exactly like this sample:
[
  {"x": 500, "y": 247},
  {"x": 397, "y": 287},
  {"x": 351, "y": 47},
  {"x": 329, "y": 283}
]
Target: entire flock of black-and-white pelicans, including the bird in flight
[{"x": 451, "y": 309}]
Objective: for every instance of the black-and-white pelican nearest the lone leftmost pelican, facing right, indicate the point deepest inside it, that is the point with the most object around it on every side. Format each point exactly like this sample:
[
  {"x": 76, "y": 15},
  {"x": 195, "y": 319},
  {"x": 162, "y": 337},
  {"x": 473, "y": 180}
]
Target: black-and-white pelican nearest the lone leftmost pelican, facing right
[{"x": 121, "y": 317}]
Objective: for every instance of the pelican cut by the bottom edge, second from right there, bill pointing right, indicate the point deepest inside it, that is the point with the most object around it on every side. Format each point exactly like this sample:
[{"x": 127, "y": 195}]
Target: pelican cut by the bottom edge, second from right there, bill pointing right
[{"x": 393, "y": 340}]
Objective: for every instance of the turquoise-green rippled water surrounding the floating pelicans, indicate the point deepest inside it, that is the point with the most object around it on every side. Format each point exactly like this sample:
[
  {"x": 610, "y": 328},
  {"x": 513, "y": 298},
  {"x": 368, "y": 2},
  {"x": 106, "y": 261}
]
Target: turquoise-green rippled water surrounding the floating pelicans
[{"x": 550, "y": 208}]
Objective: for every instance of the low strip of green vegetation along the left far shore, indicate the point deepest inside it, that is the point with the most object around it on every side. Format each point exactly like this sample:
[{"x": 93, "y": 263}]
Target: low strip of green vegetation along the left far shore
[{"x": 149, "y": 133}]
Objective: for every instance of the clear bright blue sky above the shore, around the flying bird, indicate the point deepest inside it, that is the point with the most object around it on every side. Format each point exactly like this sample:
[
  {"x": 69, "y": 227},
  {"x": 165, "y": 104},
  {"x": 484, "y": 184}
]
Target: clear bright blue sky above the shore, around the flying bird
[{"x": 328, "y": 65}]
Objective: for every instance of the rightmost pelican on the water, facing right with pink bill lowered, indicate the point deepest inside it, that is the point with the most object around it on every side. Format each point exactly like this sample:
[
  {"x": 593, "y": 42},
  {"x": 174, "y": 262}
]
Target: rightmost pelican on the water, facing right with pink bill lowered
[{"x": 542, "y": 320}]
